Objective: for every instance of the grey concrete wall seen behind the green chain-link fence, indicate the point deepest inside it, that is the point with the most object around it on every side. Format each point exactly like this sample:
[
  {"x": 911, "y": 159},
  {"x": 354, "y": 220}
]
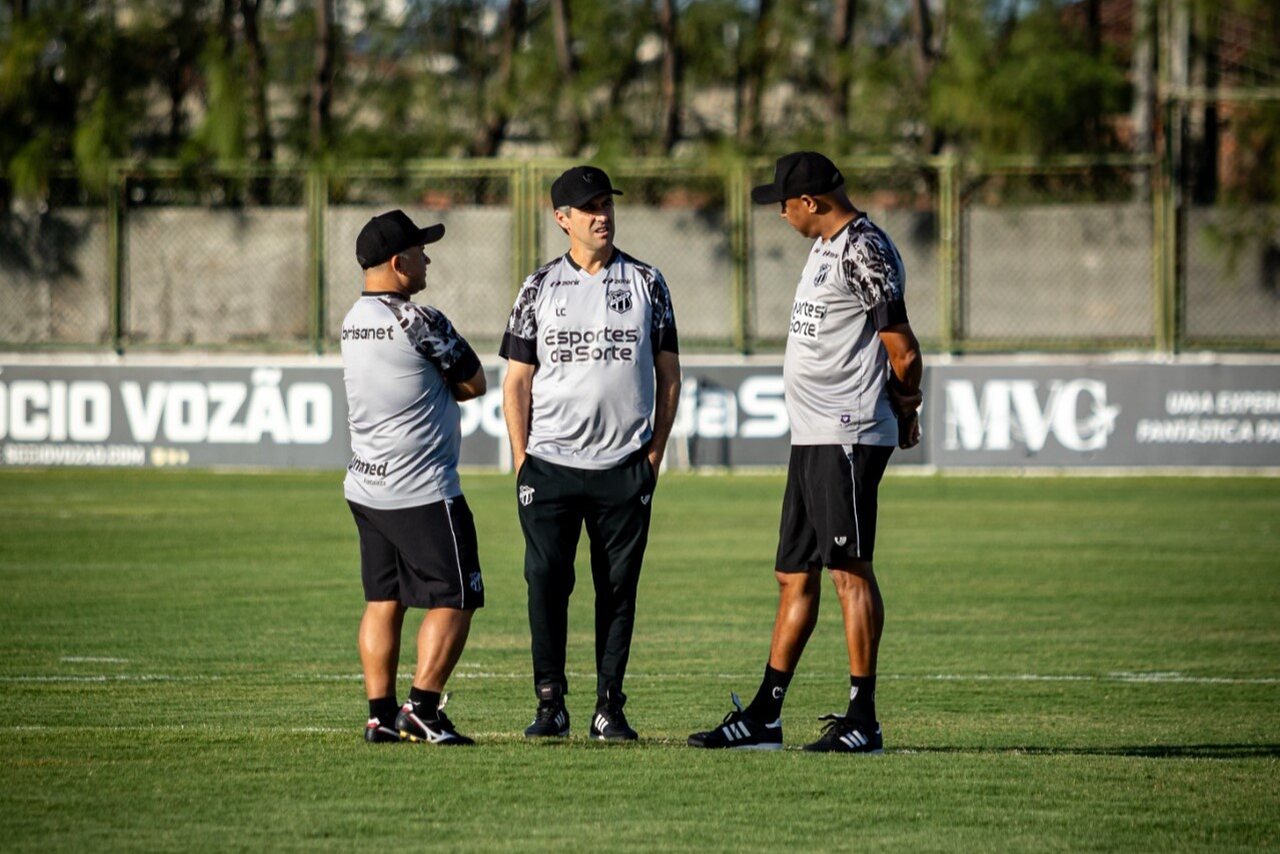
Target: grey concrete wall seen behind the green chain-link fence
[{"x": 214, "y": 277}]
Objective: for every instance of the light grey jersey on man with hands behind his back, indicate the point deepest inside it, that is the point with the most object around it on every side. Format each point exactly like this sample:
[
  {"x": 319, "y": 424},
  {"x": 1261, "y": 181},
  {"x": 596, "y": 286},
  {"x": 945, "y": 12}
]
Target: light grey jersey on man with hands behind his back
[{"x": 836, "y": 368}]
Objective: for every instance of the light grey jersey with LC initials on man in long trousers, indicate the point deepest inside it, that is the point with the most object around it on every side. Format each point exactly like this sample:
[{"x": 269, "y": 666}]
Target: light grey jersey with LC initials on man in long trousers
[{"x": 593, "y": 340}]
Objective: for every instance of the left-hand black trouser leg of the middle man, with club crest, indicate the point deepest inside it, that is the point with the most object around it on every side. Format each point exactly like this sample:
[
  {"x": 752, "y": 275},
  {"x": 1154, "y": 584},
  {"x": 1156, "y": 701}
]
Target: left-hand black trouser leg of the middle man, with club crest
[{"x": 551, "y": 519}]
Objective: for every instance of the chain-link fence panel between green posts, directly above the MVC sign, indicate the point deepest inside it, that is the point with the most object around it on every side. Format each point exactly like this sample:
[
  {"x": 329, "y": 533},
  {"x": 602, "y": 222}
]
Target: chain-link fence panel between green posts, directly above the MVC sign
[{"x": 1057, "y": 259}]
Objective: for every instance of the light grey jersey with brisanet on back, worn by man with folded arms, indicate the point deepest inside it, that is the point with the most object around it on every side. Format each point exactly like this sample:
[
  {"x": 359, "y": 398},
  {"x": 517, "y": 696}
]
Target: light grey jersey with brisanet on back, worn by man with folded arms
[{"x": 400, "y": 360}]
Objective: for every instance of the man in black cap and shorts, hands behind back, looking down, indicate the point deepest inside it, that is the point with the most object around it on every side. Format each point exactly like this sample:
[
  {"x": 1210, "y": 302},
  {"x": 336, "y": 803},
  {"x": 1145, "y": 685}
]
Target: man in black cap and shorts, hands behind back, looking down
[{"x": 852, "y": 377}]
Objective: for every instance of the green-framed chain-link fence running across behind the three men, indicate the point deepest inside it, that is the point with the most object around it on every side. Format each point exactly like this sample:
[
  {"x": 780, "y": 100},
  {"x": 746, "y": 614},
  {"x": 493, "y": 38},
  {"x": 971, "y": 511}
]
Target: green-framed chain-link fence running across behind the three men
[{"x": 1008, "y": 255}]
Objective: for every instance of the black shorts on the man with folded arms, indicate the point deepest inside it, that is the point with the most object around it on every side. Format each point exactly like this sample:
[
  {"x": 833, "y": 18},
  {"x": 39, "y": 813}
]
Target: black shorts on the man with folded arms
[{"x": 422, "y": 556}]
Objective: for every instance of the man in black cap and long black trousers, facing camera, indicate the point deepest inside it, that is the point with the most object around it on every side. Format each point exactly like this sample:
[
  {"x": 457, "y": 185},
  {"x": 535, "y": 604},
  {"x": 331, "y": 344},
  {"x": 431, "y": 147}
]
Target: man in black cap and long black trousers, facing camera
[{"x": 589, "y": 339}]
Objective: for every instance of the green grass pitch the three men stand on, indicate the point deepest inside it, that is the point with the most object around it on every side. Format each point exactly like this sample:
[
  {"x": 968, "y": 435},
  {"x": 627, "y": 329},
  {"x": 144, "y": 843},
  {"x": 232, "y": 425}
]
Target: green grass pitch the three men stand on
[{"x": 1068, "y": 664}]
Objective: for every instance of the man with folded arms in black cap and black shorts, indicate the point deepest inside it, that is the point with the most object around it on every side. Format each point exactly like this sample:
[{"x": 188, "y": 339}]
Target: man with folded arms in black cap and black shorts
[{"x": 405, "y": 371}]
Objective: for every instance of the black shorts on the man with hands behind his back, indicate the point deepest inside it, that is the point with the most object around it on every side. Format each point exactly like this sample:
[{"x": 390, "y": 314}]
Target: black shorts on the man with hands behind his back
[{"x": 829, "y": 512}]
